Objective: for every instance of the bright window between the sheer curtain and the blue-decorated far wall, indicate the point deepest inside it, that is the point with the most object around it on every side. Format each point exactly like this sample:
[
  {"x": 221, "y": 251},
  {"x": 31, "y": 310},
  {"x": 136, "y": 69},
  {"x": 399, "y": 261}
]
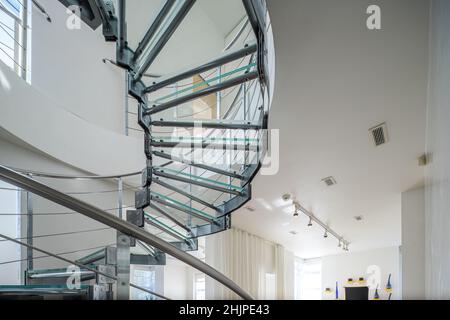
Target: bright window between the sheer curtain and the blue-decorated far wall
[{"x": 308, "y": 279}]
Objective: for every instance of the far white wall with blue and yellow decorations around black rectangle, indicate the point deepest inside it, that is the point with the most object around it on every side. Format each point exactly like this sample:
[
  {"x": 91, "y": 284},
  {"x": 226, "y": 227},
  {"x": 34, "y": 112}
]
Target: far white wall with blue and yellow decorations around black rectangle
[{"x": 354, "y": 265}]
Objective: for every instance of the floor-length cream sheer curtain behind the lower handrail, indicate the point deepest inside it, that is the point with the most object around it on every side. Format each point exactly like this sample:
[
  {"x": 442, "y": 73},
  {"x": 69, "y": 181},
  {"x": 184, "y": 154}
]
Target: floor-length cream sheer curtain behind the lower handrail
[{"x": 250, "y": 261}]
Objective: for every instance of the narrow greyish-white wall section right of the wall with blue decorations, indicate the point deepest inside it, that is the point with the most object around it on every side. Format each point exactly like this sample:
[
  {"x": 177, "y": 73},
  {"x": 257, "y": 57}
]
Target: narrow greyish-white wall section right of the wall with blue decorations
[{"x": 413, "y": 244}]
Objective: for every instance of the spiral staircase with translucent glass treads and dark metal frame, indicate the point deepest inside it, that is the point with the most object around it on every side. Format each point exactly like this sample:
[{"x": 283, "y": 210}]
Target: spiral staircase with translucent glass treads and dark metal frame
[{"x": 200, "y": 163}]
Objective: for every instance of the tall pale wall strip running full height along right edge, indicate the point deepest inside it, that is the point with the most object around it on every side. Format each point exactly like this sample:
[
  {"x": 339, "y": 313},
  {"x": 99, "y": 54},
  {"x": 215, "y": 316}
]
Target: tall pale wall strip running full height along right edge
[{"x": 438, "y": 147}]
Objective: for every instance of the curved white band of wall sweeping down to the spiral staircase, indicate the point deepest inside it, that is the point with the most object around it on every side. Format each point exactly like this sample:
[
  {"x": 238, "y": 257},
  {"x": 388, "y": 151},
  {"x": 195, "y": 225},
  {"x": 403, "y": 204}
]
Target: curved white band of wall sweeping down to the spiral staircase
[{"x": 40, "y": 122}]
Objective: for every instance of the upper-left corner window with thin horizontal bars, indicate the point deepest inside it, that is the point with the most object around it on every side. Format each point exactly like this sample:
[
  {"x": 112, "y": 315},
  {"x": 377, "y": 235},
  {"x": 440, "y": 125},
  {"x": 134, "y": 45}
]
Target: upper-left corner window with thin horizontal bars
[{"x": 14, "y": 35}]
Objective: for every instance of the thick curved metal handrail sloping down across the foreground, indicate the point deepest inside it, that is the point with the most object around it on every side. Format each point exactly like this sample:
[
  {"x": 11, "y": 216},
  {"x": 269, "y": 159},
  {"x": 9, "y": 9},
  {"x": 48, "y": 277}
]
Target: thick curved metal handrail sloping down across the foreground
[{"x": 114, "y": 222}]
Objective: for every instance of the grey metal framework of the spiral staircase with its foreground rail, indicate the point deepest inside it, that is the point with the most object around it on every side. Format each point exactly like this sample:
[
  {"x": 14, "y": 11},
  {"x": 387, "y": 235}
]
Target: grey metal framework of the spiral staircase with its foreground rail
[{"x": 136, "y": 63}]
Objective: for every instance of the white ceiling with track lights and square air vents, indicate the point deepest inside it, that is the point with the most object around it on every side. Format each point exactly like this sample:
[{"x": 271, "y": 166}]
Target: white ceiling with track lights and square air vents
[{"x": 336, "y": 79}]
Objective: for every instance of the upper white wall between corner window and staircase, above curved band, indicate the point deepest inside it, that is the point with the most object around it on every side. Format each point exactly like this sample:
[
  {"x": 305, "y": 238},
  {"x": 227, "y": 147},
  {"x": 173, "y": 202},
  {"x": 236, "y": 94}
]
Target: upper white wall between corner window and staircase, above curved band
[{"x": 67, "y": 66}]
